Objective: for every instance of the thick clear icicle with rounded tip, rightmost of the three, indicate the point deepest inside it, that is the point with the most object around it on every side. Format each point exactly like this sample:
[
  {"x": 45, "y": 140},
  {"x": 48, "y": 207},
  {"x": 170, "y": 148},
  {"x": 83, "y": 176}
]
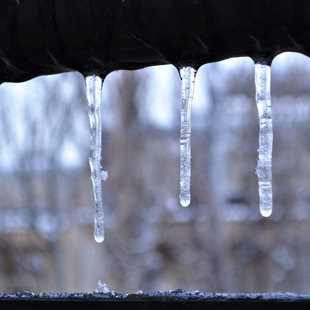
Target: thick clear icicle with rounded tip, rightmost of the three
[{"x": 264, "y": 163}]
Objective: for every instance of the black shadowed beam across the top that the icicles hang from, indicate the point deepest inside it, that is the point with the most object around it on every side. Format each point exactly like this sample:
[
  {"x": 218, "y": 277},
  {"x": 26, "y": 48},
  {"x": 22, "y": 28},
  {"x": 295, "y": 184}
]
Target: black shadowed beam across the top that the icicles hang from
[{"x": 39, "y": 37}]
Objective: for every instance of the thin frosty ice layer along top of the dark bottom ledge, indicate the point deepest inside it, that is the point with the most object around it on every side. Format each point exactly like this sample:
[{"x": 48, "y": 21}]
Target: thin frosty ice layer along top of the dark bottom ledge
[{"x": 160, "y": 296}]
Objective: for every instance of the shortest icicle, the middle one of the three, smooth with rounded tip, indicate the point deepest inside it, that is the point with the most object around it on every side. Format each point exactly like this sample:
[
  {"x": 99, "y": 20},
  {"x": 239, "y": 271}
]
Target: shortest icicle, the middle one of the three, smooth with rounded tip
[{"x": 188, "y": 75}]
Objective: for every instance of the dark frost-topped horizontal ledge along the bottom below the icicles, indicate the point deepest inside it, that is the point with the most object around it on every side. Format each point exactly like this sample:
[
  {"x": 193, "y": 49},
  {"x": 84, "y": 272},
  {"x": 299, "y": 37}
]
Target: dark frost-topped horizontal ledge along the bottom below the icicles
[{"x": 160, "y": 300}]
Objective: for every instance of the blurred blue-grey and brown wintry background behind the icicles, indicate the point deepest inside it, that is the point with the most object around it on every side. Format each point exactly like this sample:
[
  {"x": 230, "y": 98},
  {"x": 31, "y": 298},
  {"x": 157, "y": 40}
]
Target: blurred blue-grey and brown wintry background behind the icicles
[{"x": 220, "y": 243}]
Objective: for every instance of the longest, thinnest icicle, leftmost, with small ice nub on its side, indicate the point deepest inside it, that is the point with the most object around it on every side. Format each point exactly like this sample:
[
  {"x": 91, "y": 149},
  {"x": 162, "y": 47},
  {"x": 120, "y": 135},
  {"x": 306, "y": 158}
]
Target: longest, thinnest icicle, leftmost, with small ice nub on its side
[{"x": 93, "y": 91}]
